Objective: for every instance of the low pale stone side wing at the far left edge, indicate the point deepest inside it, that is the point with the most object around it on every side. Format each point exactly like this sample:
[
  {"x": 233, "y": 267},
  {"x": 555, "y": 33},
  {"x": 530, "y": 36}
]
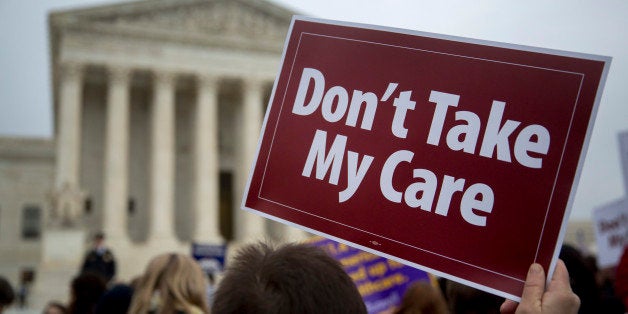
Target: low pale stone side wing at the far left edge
[{"x": 26, "y": 174}]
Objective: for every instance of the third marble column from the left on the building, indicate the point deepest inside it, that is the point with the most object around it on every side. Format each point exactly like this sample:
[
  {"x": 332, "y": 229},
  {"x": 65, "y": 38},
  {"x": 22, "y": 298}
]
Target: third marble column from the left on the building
[{"x": 162, "y": 159}]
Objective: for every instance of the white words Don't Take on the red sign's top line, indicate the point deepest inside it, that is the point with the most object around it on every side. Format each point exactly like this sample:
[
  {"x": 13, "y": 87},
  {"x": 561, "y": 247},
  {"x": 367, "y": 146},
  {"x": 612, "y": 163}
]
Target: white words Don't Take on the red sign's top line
[{"x": 531, "y": 142}]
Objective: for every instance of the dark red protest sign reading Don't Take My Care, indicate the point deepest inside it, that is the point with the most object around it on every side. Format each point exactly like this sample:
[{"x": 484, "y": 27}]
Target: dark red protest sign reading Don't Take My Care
[{"x": 456, "y": 156}]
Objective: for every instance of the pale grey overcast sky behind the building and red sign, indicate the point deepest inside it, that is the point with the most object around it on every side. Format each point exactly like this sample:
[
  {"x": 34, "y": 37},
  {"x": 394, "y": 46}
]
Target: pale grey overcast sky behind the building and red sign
[{"x": 593, "y": 26}]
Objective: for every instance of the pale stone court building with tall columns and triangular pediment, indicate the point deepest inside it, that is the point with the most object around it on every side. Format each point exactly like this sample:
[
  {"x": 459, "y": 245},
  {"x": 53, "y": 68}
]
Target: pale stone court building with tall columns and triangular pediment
[{"x": 158, "y": 107}]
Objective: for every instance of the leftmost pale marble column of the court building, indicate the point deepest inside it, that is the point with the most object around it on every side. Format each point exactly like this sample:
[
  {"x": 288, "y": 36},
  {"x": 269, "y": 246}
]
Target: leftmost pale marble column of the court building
[{"x": 68, "y": 197}]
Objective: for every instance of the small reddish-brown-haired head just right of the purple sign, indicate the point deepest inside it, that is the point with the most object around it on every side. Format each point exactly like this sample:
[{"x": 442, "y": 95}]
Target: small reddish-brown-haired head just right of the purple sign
[{"x": 422, "y": 298}]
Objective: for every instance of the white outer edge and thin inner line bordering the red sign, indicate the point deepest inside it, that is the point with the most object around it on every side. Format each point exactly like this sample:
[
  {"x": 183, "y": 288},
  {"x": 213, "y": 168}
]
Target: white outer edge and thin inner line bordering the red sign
[{"x": 606, "y": 61}]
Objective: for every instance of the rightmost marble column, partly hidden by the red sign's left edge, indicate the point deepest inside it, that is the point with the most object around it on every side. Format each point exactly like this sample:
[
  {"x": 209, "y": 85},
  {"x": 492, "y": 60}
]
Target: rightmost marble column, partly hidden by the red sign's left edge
[{"x": 249, "y": 226}]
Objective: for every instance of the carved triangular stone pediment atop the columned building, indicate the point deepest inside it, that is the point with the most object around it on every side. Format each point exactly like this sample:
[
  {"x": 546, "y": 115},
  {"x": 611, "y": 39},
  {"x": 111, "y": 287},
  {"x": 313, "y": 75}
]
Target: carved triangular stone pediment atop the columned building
[{"x": 256, "y": 24}]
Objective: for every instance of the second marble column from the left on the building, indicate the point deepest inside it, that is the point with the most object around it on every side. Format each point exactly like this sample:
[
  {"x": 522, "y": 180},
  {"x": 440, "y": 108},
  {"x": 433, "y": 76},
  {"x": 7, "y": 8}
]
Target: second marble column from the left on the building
[{"x": 116, "y": 165}]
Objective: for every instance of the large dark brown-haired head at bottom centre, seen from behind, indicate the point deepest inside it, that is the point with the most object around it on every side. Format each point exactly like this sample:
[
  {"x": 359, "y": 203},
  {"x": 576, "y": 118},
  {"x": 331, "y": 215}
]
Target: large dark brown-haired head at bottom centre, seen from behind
[{"x": 292, "y": 278}]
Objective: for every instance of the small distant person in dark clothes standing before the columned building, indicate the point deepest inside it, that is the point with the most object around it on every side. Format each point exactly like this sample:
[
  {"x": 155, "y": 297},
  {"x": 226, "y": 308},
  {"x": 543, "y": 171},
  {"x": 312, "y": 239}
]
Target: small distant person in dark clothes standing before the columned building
[{"x": 100, "y": 260}]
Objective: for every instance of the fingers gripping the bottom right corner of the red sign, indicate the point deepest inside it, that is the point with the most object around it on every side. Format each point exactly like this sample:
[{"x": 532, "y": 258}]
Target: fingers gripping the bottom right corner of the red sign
[{"x": 537, "y": 298}]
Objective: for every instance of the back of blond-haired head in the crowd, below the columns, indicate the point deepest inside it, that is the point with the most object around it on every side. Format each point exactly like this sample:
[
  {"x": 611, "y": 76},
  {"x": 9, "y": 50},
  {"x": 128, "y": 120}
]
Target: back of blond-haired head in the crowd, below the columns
[{"x": 172, "y": 283}]
